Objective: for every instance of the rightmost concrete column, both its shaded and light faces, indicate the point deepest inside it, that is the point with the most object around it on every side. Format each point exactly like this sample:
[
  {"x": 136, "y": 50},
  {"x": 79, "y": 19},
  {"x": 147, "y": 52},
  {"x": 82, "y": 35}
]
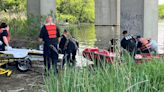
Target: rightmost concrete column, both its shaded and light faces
[{"x": 140, "y": 17}]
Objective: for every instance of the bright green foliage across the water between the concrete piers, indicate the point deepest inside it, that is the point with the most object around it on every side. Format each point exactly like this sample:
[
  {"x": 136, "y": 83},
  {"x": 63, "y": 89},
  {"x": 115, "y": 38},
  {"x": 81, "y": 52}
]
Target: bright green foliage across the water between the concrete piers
[{"x": 81, "y": 10}]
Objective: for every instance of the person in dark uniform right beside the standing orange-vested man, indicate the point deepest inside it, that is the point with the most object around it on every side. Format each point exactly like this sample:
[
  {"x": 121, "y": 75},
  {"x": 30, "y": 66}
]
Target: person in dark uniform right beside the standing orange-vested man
[{"x": 68, "y": 48}]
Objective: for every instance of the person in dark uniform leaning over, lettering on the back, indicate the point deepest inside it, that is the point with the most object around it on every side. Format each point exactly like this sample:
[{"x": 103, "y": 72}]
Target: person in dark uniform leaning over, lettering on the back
[{"x": 128, "y": 43}]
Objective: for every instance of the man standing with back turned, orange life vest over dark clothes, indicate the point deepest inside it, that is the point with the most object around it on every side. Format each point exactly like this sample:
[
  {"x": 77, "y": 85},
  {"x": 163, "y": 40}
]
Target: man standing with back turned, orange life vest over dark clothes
[{"x": 50, "y": 35}]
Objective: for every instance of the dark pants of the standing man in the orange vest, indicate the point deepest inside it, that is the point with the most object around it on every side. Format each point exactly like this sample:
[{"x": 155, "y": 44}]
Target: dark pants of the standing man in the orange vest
[{"x": 50, "y": 58}]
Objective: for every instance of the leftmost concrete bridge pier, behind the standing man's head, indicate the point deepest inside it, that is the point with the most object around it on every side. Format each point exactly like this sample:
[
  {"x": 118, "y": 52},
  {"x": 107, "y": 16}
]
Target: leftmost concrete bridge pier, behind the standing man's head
[{"x": 37, "y": 10}]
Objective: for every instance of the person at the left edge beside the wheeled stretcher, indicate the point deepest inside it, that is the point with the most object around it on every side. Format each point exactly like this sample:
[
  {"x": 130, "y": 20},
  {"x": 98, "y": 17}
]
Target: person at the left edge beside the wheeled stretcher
[{"x": 4, "y": 37}]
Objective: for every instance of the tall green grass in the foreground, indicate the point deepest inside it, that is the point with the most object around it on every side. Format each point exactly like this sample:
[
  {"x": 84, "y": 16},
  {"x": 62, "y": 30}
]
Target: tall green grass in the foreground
[{"x": 124, "y": 77}]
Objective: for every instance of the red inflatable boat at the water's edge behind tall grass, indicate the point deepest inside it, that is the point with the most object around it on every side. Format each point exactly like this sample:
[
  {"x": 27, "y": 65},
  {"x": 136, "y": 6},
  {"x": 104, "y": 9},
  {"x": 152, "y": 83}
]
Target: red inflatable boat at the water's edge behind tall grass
[{"x": 95, "y": 54}]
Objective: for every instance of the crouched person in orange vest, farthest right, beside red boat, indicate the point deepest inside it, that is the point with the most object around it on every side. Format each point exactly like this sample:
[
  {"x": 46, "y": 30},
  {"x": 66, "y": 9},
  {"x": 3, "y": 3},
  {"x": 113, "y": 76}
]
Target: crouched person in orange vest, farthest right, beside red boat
[{"x": 143, "y": 45}]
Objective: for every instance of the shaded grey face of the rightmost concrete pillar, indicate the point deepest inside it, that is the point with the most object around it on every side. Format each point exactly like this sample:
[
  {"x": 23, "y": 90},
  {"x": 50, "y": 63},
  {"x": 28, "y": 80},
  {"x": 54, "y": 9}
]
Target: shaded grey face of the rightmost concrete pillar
[{"x": 132, "y": 15}]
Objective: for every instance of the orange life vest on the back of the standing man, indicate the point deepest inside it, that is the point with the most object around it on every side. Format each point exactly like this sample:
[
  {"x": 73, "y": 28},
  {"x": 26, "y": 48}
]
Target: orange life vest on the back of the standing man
[{"x": 51, "y": 29}]
